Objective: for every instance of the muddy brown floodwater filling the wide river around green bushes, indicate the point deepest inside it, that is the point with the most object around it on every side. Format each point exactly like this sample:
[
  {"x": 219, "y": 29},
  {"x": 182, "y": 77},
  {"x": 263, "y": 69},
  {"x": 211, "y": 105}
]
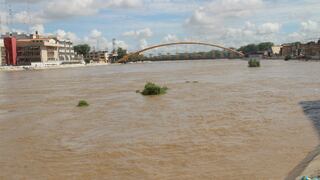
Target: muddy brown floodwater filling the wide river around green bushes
[{"x": 234, "y": 122}]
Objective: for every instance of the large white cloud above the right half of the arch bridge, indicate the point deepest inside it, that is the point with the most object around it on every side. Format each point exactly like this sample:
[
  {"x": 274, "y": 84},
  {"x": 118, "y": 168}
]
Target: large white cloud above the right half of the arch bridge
[{"x": 223, "y": 22}]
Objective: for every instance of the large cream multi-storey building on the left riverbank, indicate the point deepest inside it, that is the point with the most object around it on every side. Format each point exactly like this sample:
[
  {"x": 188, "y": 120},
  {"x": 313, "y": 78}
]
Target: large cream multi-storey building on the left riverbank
[{"x": 37, "y": 49}]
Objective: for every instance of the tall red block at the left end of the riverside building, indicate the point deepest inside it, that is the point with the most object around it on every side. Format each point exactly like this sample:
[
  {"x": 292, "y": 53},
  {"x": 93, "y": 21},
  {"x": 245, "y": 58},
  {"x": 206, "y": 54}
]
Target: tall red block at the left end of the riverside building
[{"x": 10, "y": 44}]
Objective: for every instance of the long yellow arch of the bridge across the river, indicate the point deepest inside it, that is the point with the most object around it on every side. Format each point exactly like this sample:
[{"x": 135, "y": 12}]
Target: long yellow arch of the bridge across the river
[{"x": 126, "y": 58}]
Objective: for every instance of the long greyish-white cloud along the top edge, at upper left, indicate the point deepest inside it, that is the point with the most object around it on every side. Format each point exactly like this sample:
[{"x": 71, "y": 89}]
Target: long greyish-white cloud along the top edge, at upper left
[{"x": 46, "y": 10}]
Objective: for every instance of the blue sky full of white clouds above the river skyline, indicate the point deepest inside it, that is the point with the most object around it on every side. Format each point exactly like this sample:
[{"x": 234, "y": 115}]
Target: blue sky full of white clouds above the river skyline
[{"x": 139, "y": 23}]
